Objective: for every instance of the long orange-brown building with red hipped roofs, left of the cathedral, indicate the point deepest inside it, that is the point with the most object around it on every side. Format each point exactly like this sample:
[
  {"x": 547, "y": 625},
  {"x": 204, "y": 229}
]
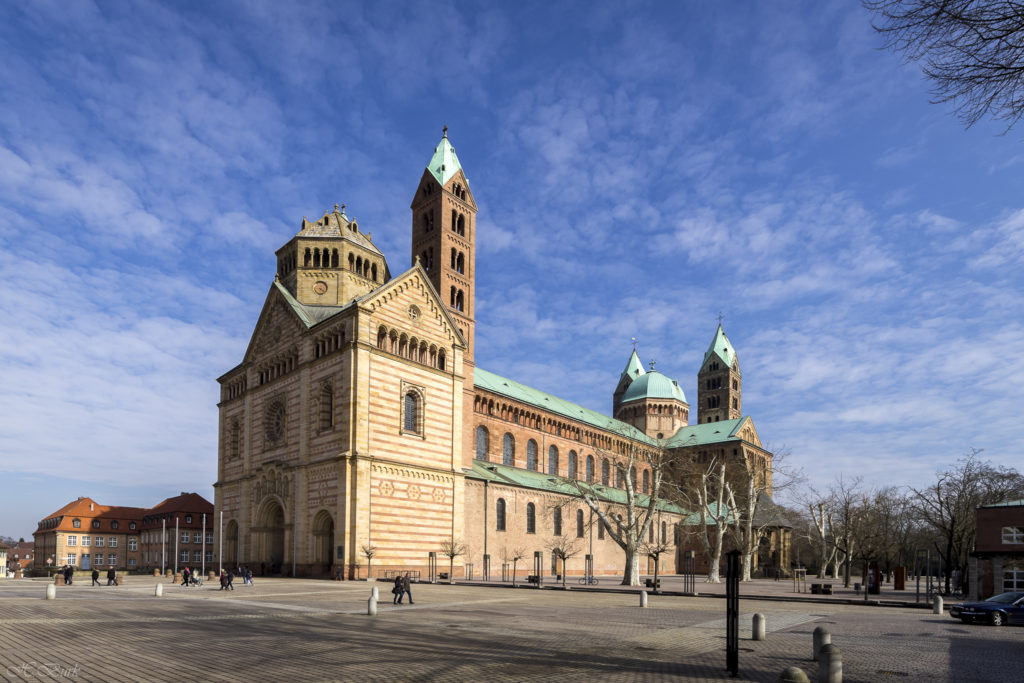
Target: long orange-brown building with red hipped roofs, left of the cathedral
[{"x": 87, "y": 535}]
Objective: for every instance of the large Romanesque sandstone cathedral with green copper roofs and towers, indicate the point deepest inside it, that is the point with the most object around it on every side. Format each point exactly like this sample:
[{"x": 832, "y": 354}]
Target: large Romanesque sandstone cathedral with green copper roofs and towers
[{"x": 359, "y": 437}]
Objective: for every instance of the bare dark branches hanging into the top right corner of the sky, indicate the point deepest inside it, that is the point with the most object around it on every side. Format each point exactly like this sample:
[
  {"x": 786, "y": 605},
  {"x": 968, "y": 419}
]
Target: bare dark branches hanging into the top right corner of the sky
[{"x": 973, "y": 52}]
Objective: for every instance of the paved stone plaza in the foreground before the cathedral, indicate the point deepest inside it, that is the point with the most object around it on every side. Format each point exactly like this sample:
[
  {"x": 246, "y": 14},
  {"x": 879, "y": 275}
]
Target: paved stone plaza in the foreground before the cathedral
[{"x": 319, "y": 631}]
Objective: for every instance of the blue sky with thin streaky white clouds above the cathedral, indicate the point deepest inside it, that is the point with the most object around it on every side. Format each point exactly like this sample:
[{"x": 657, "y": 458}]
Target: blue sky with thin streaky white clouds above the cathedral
[{"x": 639, "y": 168}]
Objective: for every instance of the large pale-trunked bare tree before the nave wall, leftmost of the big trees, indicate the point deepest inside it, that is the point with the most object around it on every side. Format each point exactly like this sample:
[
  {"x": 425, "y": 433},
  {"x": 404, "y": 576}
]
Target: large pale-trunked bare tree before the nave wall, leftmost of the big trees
[{"x": 629, "y": 528}]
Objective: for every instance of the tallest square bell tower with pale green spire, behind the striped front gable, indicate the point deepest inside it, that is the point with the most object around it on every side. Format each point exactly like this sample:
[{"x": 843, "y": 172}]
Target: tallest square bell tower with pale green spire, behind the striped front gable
[{"x": 445, "y": 236}]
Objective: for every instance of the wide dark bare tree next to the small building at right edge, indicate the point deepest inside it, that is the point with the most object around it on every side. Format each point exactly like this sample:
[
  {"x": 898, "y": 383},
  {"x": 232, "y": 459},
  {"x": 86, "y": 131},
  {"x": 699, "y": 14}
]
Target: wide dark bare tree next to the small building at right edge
[{"x": 949, "y": 505}]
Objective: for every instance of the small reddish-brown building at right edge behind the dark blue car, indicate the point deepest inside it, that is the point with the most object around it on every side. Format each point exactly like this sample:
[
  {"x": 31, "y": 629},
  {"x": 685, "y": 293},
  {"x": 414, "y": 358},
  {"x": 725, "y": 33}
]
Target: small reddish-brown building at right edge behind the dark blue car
[{"x": 998, "y": 563}]
